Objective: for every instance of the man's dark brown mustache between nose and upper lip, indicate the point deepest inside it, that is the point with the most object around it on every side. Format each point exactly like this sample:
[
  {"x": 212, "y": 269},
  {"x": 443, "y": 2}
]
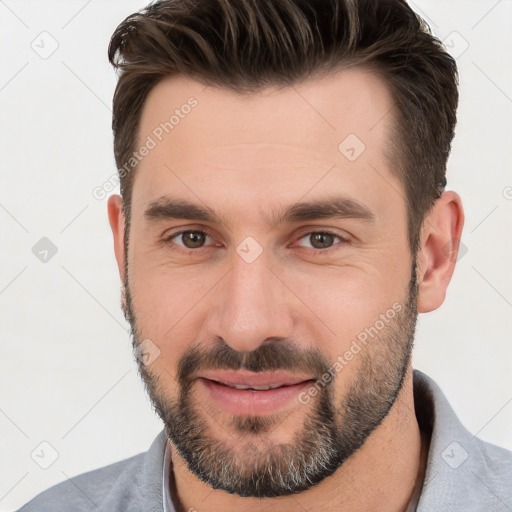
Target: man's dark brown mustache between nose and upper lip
[{"x": 273, "y": 354}]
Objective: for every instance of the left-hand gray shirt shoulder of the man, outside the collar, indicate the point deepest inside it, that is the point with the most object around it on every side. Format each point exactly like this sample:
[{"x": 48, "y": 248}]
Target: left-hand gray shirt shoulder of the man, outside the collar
[{"x": 88, "y": 490}]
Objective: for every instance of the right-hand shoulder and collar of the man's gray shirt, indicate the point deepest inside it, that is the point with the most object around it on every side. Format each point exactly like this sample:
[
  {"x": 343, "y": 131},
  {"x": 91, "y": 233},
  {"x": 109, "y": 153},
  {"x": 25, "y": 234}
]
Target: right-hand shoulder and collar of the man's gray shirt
[{"x": 464, "y": 473}]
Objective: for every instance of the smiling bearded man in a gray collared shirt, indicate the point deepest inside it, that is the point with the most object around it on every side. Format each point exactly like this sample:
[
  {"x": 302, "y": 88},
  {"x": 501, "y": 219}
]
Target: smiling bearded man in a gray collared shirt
[{"x": 282, "y": 221}]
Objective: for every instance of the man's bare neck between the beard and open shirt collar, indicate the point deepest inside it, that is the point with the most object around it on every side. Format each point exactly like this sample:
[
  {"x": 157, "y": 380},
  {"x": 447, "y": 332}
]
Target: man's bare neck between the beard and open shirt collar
[{"x": 385, "y": 474}]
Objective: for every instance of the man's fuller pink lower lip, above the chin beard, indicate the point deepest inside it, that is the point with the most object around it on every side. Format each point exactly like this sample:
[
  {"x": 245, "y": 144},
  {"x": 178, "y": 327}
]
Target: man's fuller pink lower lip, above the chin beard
[{"x": 253, "y": 402}]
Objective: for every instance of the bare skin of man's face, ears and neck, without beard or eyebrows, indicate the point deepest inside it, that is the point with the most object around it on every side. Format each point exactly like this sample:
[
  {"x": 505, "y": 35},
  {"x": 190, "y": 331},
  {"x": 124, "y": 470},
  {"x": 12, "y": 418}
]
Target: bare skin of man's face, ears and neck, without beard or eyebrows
[{"x": 245, "y": 157}]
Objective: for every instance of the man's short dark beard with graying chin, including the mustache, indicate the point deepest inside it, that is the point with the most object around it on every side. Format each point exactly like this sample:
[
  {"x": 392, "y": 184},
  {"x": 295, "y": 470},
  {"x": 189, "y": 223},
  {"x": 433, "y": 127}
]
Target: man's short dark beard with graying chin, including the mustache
[{"x": 249, "y": 463}]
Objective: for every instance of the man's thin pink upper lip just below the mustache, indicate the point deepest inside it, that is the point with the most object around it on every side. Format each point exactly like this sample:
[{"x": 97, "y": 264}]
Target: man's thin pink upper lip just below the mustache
[{"x": 247, "y": 378}]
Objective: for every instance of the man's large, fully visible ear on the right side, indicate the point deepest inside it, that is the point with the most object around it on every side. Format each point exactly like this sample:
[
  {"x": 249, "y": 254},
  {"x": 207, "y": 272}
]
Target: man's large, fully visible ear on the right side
[{"x": 439, "y": 246}]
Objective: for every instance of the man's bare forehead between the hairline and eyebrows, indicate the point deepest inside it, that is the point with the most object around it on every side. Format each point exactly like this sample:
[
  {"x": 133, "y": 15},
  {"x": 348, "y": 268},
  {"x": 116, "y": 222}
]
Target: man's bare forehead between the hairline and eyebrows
[{"x": 284, "y": 139}]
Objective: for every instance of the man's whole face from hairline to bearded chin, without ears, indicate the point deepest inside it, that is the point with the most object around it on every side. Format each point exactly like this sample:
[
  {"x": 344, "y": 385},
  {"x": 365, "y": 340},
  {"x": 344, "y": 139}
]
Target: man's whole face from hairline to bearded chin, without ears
[{"x": 259, "y": 290}]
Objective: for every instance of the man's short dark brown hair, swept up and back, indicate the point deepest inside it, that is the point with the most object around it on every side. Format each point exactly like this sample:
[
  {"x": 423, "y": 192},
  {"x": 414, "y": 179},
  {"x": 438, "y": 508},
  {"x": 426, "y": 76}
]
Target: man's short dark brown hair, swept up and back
[{"x": 246, "y": 45}]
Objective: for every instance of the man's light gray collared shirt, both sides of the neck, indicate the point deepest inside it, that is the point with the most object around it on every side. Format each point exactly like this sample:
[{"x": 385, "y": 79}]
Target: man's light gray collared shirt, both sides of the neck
[{"x": 464, "y": 473}]
